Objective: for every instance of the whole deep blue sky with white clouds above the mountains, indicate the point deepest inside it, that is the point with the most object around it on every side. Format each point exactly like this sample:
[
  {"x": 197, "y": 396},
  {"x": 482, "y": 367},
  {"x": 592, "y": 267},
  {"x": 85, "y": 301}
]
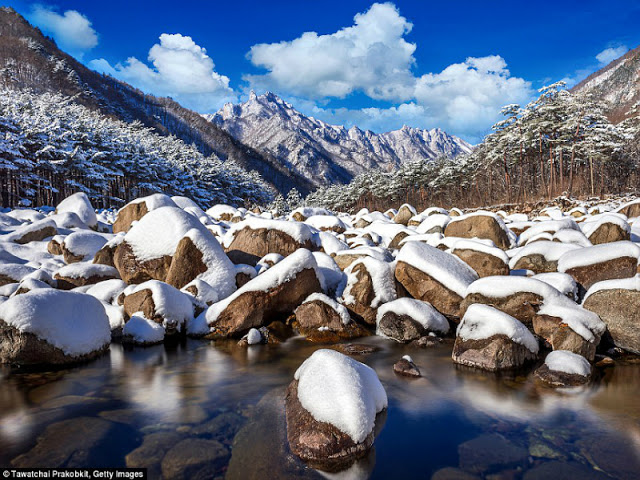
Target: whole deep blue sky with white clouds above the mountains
[{"x": 376, "y": 65}]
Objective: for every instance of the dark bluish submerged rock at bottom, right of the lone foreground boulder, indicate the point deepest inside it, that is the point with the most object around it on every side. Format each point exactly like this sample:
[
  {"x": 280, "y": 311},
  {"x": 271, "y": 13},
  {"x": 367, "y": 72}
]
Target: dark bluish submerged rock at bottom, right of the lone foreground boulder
[{"x": 489, "y": 453}]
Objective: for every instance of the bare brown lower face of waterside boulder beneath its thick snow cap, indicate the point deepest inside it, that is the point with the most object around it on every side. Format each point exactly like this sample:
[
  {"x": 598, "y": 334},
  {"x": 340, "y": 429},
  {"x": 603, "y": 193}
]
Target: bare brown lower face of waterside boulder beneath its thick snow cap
[{"x": 495, "y": 353}]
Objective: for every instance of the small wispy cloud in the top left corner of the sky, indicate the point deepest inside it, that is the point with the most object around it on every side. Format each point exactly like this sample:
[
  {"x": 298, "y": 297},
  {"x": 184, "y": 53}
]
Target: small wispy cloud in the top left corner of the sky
[{"x": 72, "y": 31}]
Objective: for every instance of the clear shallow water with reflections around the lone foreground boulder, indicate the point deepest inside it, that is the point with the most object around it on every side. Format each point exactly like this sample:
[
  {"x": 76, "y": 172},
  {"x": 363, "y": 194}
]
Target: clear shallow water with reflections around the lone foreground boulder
[{"x": 203, "y": 410}]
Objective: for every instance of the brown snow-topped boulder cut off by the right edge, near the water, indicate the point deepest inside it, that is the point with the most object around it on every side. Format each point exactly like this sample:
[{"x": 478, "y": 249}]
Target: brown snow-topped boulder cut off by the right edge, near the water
[{"x": 617, "y": 303}]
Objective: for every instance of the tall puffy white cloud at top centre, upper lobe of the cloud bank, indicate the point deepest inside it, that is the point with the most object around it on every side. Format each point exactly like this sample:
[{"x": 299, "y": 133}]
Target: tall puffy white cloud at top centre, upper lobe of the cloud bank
[{"x": 370, "y": 56}]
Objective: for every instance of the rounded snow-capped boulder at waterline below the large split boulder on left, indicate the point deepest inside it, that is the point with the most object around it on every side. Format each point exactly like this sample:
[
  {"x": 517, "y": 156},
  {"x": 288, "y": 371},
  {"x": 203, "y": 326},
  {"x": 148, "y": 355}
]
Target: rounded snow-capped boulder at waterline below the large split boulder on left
[{"x": 160, "y": 303}]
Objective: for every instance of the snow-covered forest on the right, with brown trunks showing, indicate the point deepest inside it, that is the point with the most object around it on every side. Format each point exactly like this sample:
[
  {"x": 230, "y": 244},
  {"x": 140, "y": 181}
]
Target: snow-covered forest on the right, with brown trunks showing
[{"x": 561, "y": 143}]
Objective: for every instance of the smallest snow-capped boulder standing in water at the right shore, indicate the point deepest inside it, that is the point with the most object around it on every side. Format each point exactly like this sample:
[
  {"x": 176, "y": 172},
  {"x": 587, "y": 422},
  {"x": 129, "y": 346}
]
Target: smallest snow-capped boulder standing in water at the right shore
[{"x": 562, "y": 368}]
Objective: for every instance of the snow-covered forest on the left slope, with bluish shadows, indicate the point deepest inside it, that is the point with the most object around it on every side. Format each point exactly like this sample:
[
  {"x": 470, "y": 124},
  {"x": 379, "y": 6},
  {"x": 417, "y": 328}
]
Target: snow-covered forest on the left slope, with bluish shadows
[{"x": 51, "y": 147}]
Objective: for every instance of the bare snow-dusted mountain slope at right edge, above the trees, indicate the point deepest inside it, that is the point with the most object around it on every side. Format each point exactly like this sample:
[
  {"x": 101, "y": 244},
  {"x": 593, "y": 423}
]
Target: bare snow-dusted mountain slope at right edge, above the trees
[{"x": 617, "y": 84}]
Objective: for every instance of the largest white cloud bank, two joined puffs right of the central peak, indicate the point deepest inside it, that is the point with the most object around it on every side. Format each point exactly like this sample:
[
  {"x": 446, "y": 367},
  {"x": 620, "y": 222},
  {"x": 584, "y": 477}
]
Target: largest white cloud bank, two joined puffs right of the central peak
[{"x": 373, "y": 57}]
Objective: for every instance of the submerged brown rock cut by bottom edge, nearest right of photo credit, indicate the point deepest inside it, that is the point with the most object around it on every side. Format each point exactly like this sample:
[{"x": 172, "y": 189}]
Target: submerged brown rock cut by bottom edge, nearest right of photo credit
[{"x": 194, "y": 458}]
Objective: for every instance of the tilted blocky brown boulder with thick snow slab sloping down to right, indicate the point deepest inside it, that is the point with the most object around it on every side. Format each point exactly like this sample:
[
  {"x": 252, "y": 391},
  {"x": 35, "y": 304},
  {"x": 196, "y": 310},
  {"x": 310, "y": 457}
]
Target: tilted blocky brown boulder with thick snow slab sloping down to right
[{"x": 434, "y": 276}]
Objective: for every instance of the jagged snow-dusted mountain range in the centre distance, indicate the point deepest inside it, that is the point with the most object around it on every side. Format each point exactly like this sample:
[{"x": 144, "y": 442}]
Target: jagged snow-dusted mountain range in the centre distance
[{"x": 327, "y": 153}]
